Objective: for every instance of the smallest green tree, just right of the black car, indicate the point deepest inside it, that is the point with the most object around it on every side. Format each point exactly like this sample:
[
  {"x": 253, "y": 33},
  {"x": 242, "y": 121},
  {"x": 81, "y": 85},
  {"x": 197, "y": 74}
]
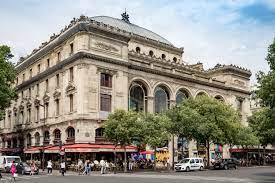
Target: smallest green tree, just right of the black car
[{"x": 246, "y": 138}]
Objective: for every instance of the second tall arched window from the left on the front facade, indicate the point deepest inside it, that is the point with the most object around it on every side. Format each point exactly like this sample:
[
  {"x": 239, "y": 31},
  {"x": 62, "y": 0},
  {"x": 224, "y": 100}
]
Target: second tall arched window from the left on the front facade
[{"x": 161, "y": 99}]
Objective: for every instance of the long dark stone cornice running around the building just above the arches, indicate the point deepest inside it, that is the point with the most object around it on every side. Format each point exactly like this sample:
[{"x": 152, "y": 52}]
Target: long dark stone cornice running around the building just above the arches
[{"x": 130, "y": 65}]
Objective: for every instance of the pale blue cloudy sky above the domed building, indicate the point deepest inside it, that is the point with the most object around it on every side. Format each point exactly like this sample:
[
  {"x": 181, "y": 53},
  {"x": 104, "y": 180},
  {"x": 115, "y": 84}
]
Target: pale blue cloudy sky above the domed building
[{"x": 211, "y": 31}]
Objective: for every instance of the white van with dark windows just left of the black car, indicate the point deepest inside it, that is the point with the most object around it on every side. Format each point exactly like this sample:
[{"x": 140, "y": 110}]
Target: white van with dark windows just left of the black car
[{"x": 188, "y": 164}]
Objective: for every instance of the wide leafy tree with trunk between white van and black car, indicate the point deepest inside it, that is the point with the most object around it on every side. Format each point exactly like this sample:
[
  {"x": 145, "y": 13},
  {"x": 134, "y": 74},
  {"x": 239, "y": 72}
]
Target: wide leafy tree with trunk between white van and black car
[{"x": 216, "y": 122}]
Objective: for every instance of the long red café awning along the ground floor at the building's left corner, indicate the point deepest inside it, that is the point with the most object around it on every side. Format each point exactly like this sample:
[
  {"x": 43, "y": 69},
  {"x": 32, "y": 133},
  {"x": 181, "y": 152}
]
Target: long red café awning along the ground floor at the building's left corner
[{"x": 82, "y": 148}]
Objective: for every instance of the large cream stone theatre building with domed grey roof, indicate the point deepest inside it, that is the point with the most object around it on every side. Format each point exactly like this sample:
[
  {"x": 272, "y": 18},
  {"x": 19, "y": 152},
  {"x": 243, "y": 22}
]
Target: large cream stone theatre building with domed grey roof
[{"x": 68, "y": 86}]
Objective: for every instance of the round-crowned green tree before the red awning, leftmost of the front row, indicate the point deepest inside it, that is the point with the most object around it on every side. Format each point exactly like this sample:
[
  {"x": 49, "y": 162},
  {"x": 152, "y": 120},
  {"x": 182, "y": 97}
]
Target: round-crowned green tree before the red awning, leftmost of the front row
[{"x": 121, "y": 128}]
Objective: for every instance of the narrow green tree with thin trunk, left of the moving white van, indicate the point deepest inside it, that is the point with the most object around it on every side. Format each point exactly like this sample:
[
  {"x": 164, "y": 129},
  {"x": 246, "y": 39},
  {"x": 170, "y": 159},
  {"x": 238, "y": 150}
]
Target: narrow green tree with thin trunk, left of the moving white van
[{"x": 155, "y": 131}]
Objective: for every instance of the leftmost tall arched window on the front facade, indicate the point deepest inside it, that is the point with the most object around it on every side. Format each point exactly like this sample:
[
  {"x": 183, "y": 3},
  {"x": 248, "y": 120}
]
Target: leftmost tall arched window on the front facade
[{"x": 137, "y": 101}]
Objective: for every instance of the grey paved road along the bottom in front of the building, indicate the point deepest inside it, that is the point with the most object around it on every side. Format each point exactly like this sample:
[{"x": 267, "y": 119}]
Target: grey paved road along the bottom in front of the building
[{"x": 243, "y": 175}]
